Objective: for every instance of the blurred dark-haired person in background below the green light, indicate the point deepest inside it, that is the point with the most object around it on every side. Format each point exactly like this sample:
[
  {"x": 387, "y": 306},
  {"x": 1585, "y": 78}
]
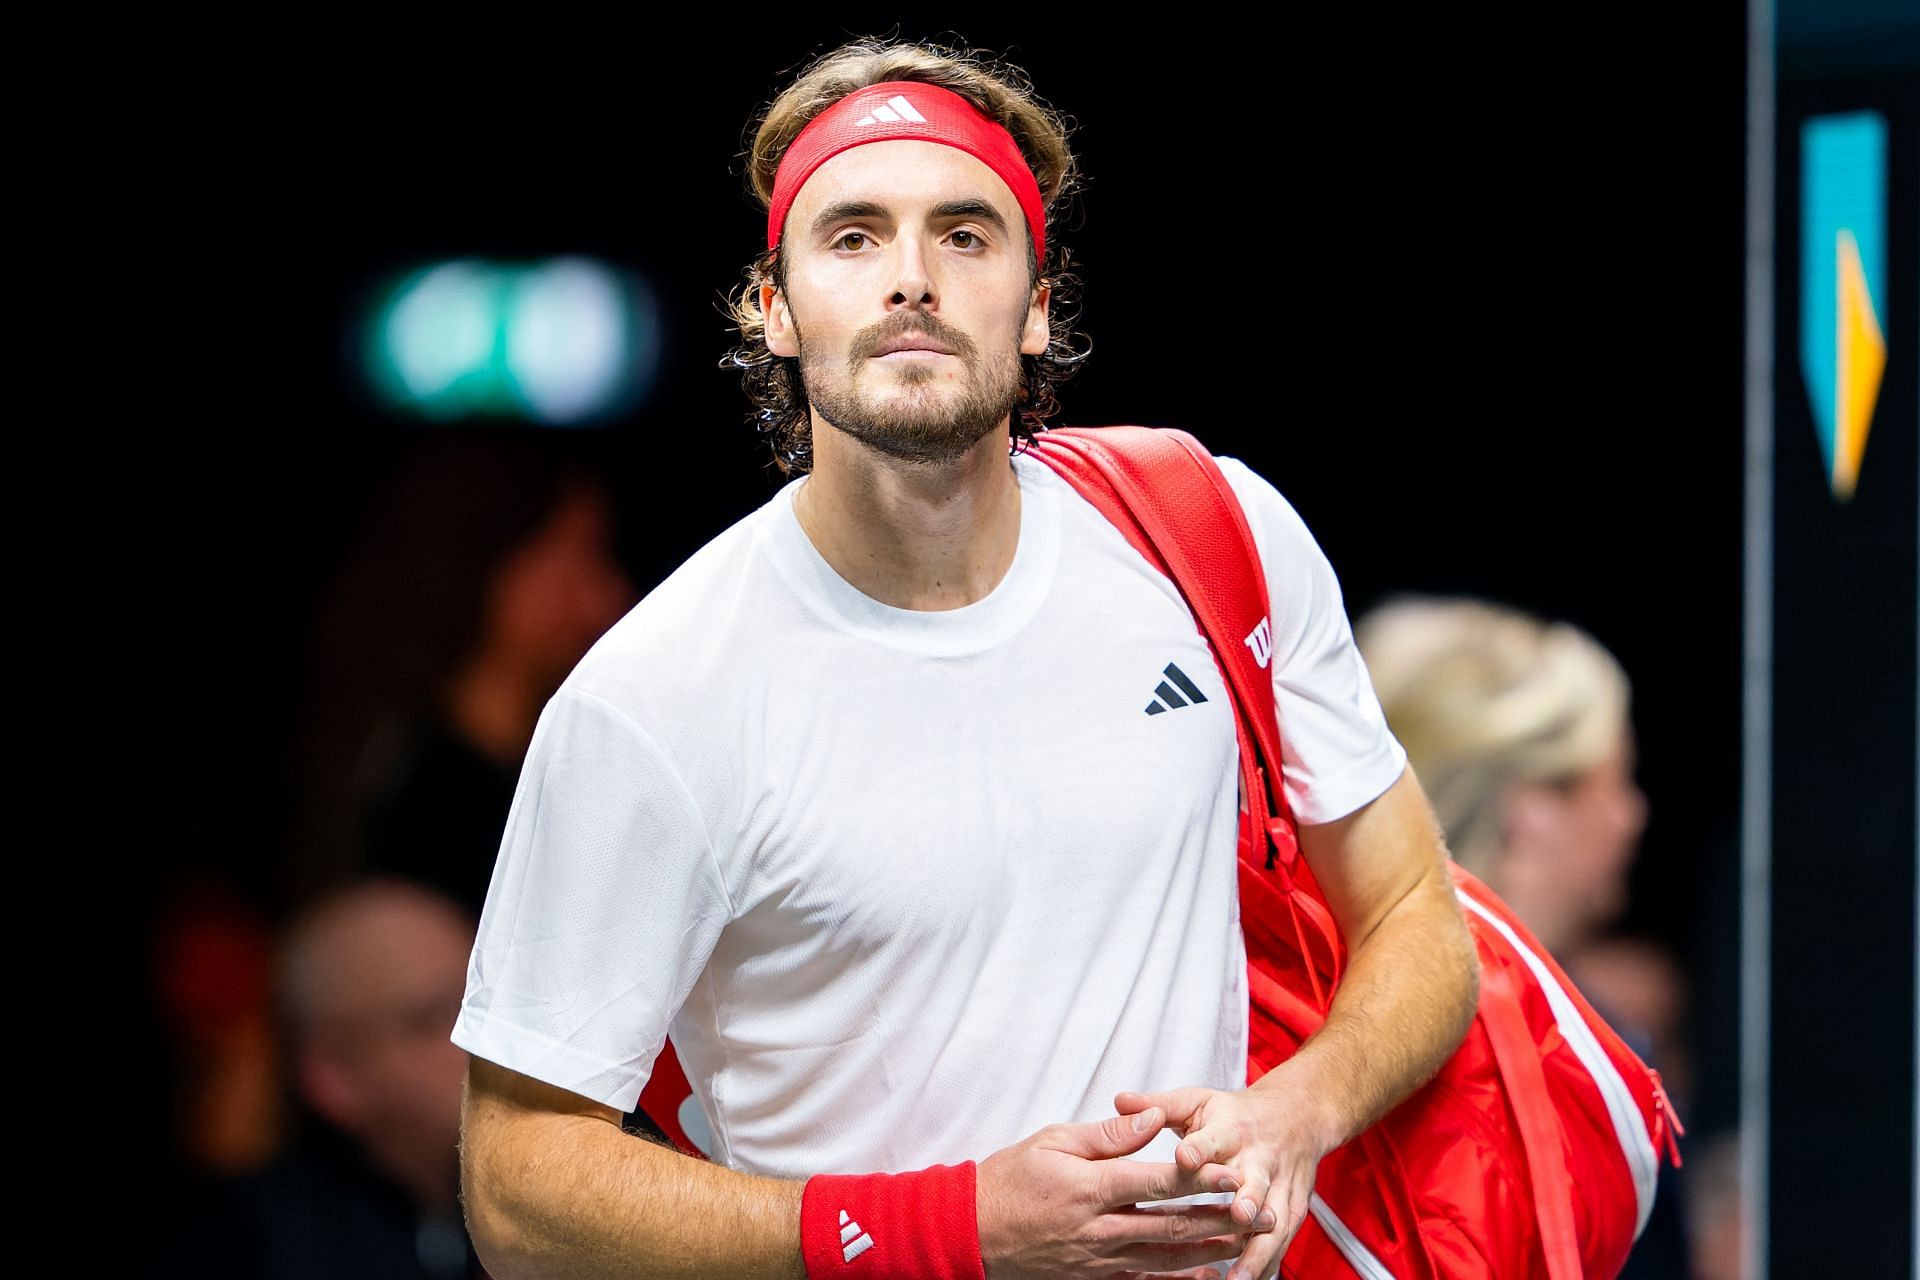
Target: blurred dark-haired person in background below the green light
[{"x": 483, "y": 575}]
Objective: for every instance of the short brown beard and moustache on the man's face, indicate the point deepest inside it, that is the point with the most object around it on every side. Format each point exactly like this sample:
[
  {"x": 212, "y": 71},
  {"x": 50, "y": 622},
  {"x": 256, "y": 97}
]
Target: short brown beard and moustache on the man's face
[{"x": 921, "y": 421}]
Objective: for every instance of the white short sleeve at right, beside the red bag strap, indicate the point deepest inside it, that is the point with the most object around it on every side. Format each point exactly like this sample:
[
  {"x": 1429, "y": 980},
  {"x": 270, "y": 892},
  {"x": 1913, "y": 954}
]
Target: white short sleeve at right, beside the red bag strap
[{"x": 1337, "y": 751}]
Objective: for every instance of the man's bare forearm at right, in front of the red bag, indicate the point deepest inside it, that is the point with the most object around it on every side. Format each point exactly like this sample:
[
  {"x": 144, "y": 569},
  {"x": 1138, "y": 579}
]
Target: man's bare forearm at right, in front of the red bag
[{"x": 1403, "y": 1008}]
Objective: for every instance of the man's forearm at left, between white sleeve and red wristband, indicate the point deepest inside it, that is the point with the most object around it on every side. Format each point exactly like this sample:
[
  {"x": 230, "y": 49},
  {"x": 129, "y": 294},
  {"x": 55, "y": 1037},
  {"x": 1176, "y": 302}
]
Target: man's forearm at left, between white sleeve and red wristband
[{"x": 581, "y": 1200}]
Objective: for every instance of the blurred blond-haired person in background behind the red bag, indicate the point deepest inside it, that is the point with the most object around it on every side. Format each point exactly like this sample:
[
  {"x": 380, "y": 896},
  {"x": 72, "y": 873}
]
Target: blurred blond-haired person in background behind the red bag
[{"x": 1522, "y": 734}]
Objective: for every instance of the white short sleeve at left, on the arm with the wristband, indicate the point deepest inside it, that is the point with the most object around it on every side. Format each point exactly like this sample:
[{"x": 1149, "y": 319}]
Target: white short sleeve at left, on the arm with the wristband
[{"x": 604, "y": 909}]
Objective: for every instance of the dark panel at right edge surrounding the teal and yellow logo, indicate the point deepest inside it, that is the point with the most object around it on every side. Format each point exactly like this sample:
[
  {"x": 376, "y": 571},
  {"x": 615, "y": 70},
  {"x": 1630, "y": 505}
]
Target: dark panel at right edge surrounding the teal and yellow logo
[{"x": 1844, "y": 732}]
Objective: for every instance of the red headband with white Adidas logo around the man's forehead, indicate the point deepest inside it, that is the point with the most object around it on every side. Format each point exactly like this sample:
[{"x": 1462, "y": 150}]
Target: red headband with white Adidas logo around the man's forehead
[{"x": 907, "y": 110}]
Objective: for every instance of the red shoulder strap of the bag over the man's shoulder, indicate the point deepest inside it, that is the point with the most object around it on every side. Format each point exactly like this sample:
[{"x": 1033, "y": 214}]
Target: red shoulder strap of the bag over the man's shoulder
[{"x": 1170, "y": 500}]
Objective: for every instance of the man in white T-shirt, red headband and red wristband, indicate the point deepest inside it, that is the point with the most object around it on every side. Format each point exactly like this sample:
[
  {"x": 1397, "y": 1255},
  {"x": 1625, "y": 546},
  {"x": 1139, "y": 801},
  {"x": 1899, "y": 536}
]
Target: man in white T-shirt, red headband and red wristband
[{"x": 863, "y": 805}]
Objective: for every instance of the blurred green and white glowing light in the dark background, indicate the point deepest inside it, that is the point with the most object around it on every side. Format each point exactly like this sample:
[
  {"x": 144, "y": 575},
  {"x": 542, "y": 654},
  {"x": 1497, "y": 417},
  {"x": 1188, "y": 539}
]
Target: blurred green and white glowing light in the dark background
[{"x": 560, "y": 343}]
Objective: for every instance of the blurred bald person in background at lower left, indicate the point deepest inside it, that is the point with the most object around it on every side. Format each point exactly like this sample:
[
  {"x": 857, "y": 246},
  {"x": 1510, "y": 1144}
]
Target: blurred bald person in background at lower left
[{"x": 366, "y": 982}]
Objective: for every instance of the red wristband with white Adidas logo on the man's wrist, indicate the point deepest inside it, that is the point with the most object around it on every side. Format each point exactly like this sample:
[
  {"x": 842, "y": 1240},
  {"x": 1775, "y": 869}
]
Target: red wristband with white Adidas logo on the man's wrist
[{"x": 900, "y": 1225}]
